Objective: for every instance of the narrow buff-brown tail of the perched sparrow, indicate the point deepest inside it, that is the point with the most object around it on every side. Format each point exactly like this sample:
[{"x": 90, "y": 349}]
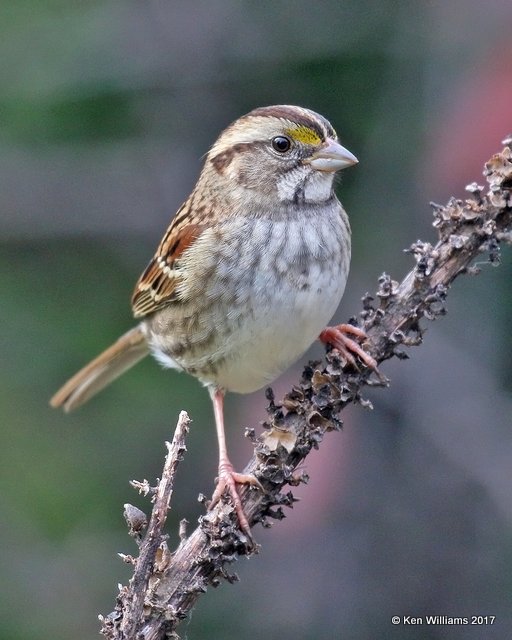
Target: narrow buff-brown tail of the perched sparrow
[{"x": 123, "y": 354}]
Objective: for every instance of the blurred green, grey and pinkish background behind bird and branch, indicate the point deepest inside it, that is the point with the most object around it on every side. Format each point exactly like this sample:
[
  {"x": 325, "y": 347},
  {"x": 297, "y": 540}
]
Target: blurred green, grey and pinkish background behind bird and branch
[{"x": 106, "y": 109}]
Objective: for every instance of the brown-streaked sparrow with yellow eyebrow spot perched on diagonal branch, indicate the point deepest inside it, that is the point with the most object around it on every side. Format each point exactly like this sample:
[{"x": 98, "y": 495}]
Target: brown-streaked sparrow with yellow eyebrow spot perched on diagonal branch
[{"x": 249, "y": 272}]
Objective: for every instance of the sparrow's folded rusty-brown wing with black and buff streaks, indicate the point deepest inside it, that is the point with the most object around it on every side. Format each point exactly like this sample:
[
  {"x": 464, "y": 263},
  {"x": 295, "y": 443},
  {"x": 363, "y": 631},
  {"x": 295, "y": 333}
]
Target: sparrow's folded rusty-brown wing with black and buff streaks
[{"x": 157, "y": 285}]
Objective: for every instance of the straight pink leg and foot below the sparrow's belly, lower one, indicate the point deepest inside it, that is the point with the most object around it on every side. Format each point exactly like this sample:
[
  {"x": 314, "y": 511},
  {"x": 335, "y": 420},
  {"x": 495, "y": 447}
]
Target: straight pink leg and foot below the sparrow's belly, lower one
[{"x": 228, "y": 477}]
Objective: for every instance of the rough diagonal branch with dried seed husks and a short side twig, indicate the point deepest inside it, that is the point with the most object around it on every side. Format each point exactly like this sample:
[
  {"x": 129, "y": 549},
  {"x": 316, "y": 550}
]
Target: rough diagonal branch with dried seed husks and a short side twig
[{"x": 165, "y": 586}]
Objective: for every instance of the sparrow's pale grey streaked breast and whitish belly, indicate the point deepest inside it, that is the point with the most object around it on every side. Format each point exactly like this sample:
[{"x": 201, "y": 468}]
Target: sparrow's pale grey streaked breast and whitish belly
[{"x": 255, "y": 294}]
